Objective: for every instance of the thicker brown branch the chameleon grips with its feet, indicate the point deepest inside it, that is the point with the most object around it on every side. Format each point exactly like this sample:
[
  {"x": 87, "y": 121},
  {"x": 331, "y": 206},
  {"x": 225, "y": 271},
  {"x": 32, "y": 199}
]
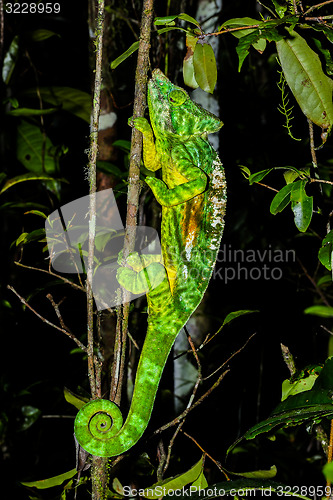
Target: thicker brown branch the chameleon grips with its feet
[{"x": 140, "y": 99}]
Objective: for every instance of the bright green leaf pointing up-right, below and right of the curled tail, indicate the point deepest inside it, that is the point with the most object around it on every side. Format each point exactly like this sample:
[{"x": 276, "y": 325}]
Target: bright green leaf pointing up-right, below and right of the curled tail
[{"x": 161, "y": 488}]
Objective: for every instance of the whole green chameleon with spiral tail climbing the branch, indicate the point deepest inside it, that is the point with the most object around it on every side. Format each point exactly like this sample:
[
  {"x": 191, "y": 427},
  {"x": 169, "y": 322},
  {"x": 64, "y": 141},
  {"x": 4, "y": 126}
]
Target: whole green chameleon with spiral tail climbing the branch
[{"x": 192, "y": 193}]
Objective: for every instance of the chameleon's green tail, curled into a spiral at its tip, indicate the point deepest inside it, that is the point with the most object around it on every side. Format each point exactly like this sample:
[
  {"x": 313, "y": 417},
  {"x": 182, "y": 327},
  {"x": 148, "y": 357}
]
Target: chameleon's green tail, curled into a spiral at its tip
[{"x": 99, "y": 424}]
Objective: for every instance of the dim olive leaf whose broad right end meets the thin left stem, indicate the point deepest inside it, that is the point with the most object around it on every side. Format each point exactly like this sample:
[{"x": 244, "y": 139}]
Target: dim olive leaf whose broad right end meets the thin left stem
[{"x": 74, "y": 101}]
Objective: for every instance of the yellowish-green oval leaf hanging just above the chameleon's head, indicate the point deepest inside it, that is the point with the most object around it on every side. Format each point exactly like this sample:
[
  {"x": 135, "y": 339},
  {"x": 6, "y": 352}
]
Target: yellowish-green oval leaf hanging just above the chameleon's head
[{"x": 205, "y": 70}]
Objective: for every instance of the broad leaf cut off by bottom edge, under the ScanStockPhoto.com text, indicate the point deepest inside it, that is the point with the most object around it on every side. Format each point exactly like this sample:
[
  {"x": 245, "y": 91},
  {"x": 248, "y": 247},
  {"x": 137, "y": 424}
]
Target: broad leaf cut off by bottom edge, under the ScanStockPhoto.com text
[{"x": 239, "y": 488}]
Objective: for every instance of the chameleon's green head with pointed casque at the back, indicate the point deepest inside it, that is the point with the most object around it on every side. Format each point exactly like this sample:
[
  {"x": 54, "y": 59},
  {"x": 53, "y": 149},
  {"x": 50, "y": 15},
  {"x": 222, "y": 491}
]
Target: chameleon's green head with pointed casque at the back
[{"x": 172, "y": 111}]
